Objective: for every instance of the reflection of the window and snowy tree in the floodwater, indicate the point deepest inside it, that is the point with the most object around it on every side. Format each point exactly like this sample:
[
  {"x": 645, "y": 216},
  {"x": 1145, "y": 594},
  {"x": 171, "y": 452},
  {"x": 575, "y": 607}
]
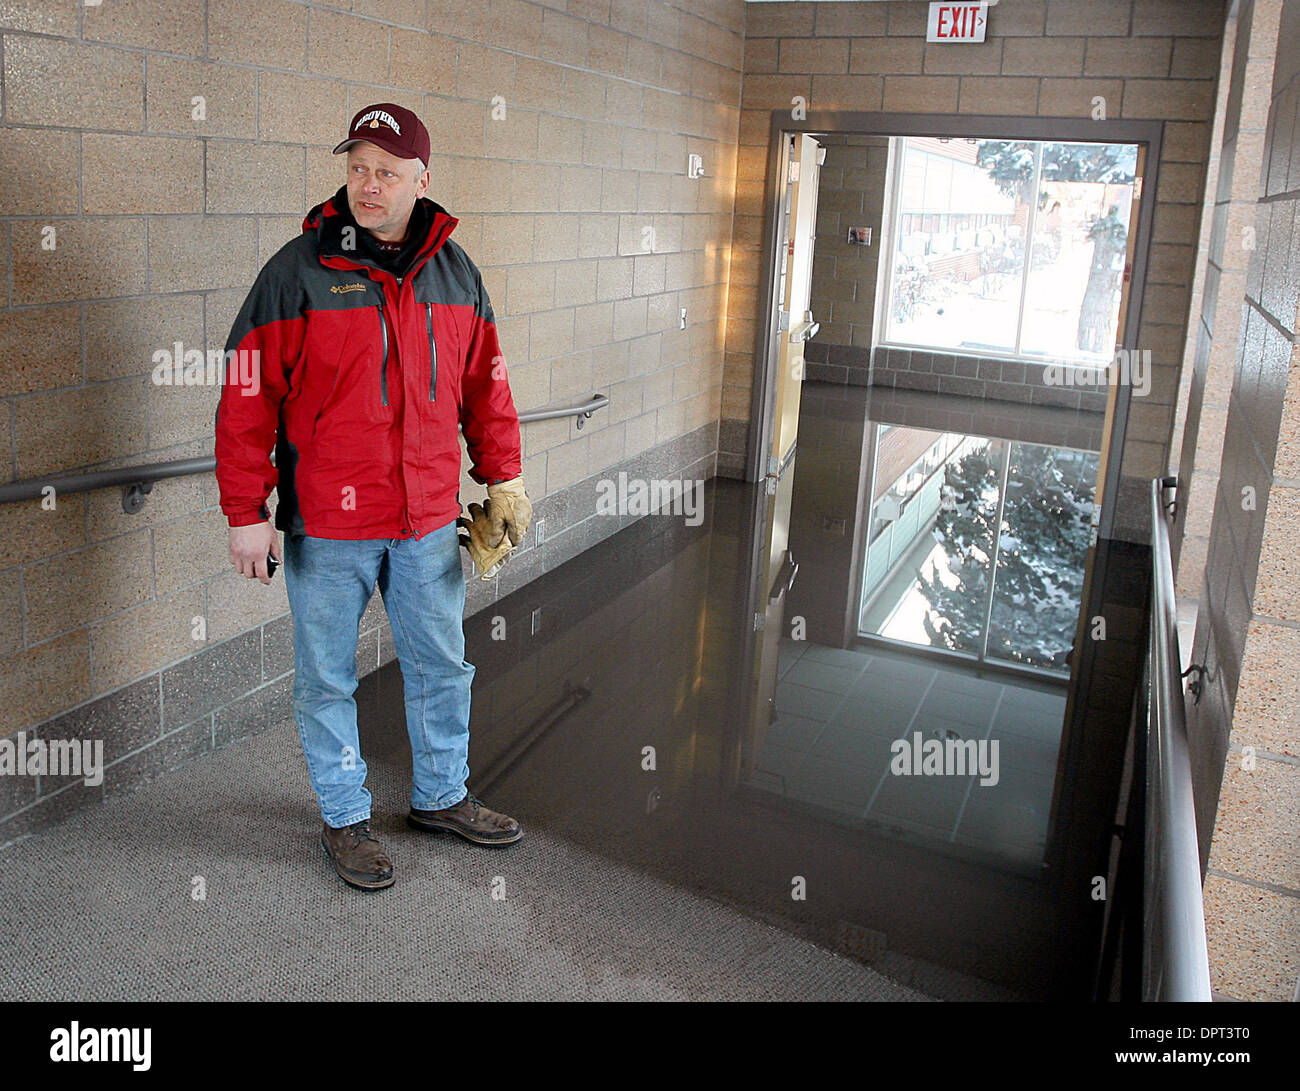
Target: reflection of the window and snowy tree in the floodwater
[{"x": 977, "y": 545}]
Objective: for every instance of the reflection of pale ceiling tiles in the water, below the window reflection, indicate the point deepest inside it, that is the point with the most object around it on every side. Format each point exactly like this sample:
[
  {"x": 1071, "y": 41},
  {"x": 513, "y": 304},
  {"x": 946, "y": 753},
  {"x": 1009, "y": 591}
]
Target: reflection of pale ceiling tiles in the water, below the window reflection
[{"x": 843, "y": 713}]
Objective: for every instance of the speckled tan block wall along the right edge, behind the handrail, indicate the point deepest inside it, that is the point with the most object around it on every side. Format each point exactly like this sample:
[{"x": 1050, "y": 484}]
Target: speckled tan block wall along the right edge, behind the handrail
[{"x": 1245, "y": 733}]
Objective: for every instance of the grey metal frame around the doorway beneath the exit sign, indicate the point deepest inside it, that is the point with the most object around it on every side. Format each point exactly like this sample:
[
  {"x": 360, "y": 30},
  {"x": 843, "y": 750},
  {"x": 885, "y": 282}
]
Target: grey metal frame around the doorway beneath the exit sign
[{"x": 883, "y": 124}]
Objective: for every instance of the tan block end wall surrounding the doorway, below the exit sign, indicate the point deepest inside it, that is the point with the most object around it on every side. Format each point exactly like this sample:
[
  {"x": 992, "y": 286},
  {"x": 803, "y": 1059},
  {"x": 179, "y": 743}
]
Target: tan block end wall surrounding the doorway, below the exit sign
[{"x": 1149, "y": 59}]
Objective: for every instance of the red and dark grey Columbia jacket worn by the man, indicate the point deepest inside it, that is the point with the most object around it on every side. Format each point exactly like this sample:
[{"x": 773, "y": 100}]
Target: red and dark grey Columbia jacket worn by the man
[{"x": 362, "y": 383}]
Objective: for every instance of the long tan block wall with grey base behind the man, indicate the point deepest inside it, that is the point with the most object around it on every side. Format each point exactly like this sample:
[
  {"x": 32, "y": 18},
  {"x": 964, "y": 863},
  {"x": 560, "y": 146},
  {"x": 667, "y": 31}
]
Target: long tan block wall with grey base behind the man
[{"x": 170, "y": 150}]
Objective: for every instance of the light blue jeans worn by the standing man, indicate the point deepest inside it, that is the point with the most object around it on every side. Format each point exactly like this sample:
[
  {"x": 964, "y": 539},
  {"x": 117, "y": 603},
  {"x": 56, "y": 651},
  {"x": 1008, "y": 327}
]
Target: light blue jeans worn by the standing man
[{"x": 330, "y": 583}]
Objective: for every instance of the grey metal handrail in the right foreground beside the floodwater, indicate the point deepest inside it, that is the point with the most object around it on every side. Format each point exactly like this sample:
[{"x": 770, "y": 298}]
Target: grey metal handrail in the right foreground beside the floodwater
[{"x": 1176, "y": 956}]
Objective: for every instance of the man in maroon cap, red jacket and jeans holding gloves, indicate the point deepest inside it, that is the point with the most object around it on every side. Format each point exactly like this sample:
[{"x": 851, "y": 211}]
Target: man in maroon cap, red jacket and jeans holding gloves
[{"x": 365, "y": 348}]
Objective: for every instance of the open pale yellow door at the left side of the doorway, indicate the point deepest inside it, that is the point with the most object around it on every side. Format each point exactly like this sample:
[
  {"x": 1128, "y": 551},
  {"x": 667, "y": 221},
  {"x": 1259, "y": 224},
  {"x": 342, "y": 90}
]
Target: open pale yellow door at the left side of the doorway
[{"x": 803, "y": 174}]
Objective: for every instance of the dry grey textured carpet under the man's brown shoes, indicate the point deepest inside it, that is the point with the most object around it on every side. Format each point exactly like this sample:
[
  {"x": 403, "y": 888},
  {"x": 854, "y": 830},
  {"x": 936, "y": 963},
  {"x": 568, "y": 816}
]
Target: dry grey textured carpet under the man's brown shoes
[{"x": 102, "y": 908}]
